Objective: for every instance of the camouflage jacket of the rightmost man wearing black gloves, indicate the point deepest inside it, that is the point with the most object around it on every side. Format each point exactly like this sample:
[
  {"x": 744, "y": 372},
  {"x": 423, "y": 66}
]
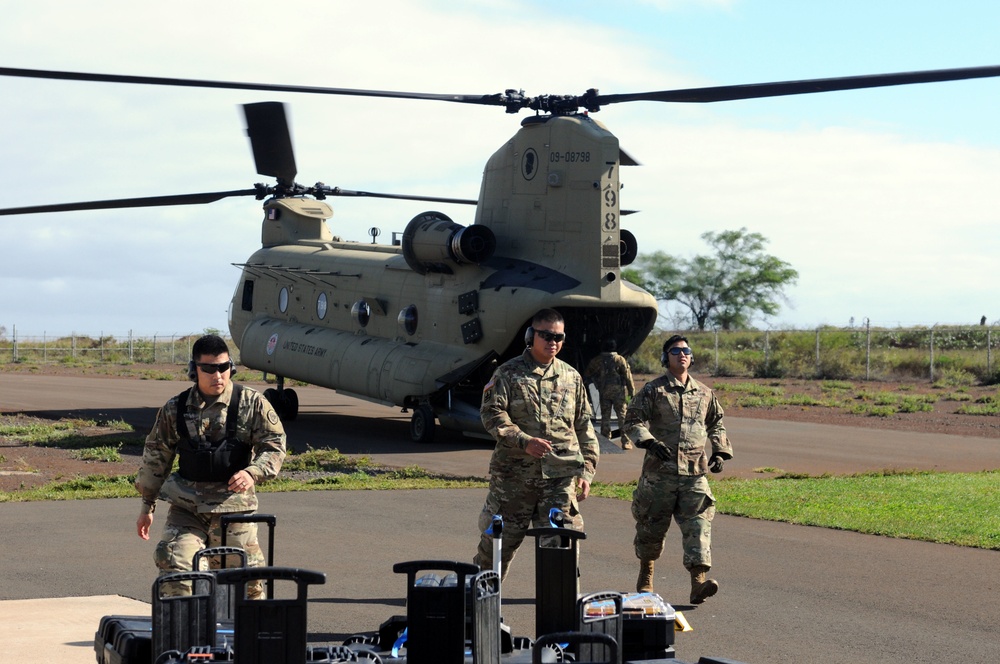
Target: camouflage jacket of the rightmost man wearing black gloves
[{"x": 674, "y": 421}]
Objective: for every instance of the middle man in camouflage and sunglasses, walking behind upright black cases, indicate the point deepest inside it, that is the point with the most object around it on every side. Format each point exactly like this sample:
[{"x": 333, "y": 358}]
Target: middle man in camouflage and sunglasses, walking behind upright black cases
[{"x": 537, "y": 409}]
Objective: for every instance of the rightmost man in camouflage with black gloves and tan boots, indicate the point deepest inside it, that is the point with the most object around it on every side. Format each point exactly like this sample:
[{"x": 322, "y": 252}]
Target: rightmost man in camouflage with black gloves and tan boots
[{"x": 673, "y": 418}]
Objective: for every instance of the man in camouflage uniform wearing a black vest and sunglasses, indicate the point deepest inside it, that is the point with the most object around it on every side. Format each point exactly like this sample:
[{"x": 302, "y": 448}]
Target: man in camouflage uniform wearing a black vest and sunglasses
[{"x": 212, "y": 481}]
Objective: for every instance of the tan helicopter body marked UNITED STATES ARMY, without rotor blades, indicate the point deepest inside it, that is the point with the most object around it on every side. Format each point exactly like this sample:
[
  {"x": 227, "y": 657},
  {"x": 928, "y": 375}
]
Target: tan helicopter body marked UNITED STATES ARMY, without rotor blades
[{"x": 426, "y": 321}]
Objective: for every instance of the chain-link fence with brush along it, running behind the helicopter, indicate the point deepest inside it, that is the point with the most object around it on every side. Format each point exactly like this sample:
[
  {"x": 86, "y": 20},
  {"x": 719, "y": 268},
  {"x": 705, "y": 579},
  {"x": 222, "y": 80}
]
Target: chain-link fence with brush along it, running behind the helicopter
[{"x": 852, "y": 353}]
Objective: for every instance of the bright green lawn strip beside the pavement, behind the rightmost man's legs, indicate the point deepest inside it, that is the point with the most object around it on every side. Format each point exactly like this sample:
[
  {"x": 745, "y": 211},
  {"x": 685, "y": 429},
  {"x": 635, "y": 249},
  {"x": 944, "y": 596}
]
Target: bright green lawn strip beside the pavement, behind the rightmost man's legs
[{"x": 919, "y": 505}]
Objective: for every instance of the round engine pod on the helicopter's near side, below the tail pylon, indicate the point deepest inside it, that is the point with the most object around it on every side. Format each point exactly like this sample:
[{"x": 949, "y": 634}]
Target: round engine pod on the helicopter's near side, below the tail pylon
[{"x": 432, "y": 243}]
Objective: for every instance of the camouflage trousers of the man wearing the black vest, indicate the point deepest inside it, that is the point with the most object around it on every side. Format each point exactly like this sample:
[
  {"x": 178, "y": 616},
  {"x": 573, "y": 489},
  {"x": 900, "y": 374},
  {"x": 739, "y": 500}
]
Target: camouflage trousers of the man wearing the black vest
[{"x": 185, "y": 533}]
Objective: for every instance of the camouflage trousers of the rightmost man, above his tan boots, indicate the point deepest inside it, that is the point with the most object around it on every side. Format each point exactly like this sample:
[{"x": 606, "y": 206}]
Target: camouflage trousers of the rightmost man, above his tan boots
[{"x": 689, "y": 501}]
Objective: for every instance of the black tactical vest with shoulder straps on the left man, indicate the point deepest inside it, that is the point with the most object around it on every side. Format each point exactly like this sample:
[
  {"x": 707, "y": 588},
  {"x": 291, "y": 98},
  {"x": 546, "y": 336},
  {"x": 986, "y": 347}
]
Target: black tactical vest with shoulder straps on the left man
[{"x": 207, "y": 461}]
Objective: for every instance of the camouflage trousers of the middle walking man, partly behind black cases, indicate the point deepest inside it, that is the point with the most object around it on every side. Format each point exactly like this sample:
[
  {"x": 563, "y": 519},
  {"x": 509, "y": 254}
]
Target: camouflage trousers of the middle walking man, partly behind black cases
[{"x": 523, "y": 502}]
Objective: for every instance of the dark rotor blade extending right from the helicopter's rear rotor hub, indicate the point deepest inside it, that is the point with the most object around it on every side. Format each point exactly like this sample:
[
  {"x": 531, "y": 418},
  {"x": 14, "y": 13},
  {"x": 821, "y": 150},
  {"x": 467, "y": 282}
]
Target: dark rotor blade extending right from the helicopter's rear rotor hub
[{"x": 809, "y": 86}]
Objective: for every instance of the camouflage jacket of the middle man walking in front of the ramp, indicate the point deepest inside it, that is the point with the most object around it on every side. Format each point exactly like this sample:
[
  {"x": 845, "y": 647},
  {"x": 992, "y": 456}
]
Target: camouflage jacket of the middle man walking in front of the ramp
[{"x": 524, "y": 400}]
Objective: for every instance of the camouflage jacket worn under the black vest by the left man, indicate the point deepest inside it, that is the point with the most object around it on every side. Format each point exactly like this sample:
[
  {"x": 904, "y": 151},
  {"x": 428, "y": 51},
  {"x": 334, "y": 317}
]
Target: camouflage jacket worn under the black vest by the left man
[{"x": 258, "y": 425}]
